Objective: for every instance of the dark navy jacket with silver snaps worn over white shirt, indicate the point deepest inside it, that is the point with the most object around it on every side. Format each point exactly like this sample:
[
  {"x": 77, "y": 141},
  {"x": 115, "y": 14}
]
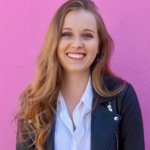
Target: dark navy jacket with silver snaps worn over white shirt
[{"x": 116, "y": 122}]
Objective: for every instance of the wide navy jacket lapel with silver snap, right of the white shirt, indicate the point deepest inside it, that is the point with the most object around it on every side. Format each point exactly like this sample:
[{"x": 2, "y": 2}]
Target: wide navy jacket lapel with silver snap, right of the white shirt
[{"x": 103, "y": 125}]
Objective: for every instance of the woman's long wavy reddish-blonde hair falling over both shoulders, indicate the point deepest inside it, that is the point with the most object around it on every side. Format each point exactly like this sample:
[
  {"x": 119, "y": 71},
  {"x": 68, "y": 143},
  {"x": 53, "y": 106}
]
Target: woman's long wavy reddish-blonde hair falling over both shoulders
[{"x": 38, "y": 101}]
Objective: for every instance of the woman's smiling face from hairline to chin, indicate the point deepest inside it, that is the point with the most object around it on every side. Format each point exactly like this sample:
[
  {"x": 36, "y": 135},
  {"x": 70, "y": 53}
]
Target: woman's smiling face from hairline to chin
[{"x": 79, "y": 42}]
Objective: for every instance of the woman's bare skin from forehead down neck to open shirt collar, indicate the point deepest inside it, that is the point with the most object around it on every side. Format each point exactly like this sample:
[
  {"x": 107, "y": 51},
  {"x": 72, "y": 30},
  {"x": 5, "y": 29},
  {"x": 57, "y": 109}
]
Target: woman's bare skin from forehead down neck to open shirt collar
[{"x": 79, "y": 36}]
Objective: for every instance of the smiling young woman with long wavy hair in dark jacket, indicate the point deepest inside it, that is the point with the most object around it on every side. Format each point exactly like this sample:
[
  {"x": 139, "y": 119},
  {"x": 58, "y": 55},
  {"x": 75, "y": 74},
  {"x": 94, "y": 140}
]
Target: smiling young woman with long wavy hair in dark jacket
[{"x": 75, "y": 102}]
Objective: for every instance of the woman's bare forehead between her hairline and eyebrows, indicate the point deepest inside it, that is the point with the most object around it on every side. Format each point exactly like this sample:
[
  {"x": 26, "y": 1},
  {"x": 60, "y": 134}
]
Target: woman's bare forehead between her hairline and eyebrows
[{"x": 80, "y": 19}]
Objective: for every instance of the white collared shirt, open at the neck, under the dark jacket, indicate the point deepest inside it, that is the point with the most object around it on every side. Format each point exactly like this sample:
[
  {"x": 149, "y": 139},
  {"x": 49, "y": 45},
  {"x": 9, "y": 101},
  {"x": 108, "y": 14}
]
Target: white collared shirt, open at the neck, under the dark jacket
[{"x": 66, "y": 138}]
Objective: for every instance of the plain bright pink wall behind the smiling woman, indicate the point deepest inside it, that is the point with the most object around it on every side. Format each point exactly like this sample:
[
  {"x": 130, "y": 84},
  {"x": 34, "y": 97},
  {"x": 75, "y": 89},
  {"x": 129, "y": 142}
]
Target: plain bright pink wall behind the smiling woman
[{"x": 23, "y": 24}]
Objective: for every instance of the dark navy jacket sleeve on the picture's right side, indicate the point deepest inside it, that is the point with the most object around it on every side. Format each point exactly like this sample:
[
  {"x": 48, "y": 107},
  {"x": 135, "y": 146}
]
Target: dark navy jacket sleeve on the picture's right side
[{"x": 131, "y": 126}]
